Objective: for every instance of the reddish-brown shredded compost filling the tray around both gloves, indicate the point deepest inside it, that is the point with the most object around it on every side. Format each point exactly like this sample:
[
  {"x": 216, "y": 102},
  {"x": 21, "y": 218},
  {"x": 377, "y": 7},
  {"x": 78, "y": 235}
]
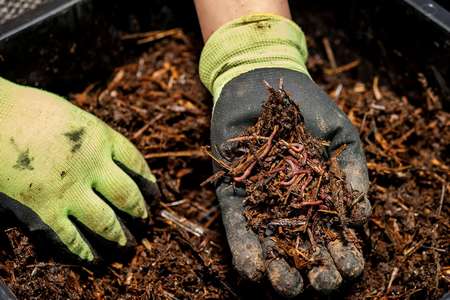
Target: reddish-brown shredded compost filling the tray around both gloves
[{"x": 158, "y": 102}]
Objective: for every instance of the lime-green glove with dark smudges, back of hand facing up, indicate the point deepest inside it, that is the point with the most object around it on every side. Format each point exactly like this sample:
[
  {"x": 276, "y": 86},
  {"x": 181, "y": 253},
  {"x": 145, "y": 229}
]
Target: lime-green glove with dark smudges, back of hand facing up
[{"x": 60, "y": 164}]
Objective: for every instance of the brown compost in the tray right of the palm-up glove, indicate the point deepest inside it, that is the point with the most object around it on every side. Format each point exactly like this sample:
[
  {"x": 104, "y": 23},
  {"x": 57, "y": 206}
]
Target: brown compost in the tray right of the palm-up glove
[{"x": 405, "y": 143}]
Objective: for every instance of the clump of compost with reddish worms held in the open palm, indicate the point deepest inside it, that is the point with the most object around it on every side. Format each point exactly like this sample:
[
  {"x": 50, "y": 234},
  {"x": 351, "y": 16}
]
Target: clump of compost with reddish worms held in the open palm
[{"x": 294, "y": 193}]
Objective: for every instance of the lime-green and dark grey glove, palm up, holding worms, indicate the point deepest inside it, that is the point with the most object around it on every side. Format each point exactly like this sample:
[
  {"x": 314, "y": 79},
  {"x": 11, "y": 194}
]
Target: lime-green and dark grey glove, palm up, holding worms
[{"x": 235, "y": 61}]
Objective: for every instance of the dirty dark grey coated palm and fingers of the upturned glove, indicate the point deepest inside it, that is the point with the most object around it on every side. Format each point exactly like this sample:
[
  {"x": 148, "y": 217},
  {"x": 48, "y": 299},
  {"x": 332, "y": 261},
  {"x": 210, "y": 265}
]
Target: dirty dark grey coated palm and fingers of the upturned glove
[{"x": 237, "y": 108}]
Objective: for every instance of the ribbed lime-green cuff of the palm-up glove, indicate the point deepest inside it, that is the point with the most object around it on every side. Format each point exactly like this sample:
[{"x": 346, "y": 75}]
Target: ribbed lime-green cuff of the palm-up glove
[{"x": 251, "y": 42}]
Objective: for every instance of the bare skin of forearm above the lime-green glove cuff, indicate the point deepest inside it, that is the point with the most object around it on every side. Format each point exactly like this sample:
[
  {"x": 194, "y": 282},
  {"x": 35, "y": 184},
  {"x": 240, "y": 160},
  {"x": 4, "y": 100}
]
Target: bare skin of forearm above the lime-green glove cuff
[{"x": 212, "y": 14}]
